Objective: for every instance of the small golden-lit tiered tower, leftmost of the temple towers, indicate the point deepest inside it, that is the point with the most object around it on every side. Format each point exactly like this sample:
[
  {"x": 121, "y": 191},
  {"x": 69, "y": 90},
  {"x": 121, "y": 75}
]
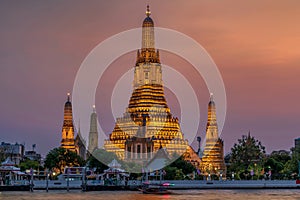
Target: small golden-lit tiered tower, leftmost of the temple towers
[{"x": 67, "y": 141}]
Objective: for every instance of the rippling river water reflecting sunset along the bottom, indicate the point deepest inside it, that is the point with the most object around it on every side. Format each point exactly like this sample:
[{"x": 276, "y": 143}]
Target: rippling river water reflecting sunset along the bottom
[{"x": 136, "y": 195}]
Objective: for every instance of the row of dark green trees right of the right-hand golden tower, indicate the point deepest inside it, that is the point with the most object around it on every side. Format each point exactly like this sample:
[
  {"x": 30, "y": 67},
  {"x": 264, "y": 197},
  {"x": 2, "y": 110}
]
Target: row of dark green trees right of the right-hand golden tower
[{"x": 248, "y": 157}]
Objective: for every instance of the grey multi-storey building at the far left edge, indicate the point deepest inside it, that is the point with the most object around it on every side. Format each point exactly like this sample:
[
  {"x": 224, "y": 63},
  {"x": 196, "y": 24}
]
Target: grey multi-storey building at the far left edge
[{"x": 15, "y": 152}]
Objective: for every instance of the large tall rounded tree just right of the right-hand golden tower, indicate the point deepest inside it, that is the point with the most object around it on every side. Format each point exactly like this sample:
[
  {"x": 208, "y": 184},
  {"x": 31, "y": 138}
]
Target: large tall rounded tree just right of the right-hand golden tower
[{"x": 246, "y": 157}]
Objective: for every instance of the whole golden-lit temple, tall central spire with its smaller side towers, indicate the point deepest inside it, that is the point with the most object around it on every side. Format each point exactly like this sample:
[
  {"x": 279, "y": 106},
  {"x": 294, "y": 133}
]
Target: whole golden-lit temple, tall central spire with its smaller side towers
[{"x": 148, "y": 130}]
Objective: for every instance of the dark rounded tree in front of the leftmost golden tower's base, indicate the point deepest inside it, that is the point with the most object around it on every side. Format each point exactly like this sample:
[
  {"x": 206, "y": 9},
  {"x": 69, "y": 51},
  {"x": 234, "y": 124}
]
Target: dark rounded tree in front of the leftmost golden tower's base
[{"x": 57, "y": 159}]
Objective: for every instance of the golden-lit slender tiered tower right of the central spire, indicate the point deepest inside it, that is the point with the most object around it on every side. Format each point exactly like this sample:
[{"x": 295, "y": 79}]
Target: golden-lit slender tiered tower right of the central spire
[{"x": 213, "y": 155}]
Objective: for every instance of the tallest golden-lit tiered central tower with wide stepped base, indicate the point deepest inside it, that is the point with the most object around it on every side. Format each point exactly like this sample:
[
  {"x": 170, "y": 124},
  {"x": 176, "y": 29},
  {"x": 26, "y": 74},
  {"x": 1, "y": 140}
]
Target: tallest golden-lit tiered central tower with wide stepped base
[{"x": 147, "y": 123}]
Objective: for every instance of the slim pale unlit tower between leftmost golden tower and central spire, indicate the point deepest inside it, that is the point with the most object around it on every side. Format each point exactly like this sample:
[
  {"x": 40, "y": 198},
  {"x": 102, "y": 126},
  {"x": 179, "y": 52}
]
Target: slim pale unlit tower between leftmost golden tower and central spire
[{"x": 93, "y": 135}]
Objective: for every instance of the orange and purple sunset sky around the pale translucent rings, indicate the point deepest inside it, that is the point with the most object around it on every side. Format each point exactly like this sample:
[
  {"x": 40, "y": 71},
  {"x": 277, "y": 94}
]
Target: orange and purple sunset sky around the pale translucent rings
[{"x": 255, "y": 44}]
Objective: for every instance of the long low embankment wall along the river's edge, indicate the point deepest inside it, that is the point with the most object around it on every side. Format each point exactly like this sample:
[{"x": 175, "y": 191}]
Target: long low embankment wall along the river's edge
[{"x": 174, "y": 185}]
